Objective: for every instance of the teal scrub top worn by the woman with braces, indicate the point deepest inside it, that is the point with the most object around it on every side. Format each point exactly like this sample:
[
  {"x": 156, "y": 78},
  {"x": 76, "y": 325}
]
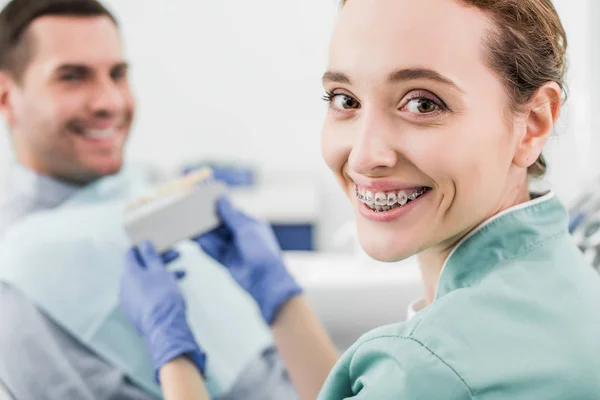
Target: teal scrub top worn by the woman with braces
[{"x": 516, "y": 316}]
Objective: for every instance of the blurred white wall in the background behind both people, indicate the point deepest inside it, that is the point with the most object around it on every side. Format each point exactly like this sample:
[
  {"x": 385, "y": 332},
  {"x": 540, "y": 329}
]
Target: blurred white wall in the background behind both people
[{"x": 239, "y": 81}]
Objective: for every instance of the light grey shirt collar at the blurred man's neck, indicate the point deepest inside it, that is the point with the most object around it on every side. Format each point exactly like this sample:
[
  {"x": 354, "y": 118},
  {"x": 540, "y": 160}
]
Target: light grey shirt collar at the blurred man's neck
[{"x": 26, "y": 185}]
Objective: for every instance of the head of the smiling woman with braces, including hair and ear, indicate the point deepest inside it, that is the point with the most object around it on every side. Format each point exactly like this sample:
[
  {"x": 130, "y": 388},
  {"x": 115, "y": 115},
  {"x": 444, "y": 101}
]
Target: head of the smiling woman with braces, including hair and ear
[{"x": 411, "y": 118}]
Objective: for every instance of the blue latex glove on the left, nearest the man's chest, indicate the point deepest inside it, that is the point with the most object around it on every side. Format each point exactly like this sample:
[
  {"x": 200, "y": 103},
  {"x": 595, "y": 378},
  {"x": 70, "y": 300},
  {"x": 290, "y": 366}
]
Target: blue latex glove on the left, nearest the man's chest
[{"x": 151, "y": 298}]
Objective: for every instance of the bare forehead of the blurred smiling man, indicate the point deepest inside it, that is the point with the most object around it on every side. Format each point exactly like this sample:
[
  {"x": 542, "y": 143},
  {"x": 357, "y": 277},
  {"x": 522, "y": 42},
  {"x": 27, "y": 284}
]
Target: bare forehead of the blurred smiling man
[{"x": 75, "y": 40}]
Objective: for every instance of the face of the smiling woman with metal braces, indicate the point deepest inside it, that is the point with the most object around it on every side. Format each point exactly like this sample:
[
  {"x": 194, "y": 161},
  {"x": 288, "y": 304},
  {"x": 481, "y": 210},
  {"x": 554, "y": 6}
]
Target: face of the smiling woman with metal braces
[{"x": 416, "y": 113}]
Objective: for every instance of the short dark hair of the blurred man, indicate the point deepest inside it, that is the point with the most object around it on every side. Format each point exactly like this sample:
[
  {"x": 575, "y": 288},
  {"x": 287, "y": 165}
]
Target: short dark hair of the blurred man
[{"x": 16, "y": 48}]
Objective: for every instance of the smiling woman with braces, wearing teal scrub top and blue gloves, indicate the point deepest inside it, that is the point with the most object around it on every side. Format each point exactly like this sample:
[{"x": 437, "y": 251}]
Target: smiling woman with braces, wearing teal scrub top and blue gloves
[{"x": 438, "y": 114}]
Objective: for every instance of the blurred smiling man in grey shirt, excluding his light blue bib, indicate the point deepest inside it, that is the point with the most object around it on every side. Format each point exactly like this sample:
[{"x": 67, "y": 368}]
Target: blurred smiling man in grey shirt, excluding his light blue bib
[{"x": 65, "y": 95}]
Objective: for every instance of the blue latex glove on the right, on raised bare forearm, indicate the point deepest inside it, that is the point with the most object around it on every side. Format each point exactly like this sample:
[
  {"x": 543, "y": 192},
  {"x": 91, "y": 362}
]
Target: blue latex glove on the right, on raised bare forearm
[{"x": 249, "y": 250}]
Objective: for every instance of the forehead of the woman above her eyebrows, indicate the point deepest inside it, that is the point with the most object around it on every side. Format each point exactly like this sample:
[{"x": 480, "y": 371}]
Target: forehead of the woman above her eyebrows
[{"x": 375, "y": 37}]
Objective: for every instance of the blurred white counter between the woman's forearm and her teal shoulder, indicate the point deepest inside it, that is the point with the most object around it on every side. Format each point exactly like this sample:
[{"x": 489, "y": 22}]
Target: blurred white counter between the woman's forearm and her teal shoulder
[{"x": 353, "y": 294}]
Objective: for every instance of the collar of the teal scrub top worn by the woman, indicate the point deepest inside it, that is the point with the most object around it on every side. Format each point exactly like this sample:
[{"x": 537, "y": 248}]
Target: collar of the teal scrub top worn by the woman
[{"x": 503, "y": 237}]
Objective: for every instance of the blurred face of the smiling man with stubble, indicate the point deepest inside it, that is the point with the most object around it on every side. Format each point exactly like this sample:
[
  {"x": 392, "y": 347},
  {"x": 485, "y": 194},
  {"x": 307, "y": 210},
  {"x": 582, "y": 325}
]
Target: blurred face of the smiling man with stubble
[{"x": 72, "y": 111}]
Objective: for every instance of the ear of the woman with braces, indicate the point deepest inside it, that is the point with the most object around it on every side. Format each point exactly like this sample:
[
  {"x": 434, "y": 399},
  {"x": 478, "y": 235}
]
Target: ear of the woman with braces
[{"x": 540, "y": 113}]
